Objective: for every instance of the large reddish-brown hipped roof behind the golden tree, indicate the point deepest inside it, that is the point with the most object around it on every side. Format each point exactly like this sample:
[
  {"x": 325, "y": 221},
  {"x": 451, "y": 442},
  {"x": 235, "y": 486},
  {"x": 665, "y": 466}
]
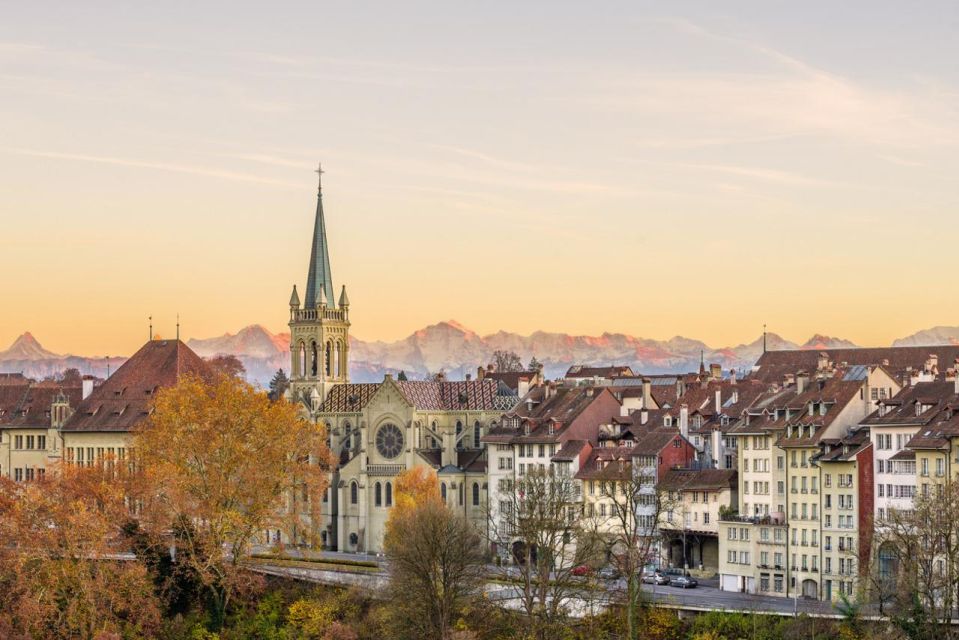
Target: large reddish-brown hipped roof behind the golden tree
[{"x": 125, "y": 398}]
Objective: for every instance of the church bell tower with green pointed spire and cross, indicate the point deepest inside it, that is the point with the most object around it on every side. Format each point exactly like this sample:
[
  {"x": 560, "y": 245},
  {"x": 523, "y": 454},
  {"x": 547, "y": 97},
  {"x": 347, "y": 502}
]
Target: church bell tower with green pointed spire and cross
[{"x": 320, "y": 328}]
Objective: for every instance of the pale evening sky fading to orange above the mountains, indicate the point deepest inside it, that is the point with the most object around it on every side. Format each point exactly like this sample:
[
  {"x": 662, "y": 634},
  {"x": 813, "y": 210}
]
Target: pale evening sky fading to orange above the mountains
[{"x": 656, "y": 169}]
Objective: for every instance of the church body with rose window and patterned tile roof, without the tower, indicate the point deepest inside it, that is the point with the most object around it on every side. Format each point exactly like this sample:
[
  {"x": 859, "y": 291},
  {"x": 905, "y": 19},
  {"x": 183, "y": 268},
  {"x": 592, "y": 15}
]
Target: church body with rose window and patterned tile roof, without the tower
[{"x": 378, "y": 430}]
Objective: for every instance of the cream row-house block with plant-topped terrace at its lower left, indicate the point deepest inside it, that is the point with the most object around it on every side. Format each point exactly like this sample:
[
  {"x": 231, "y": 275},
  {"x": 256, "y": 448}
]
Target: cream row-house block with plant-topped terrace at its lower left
[{"x": 773, "y": 544}]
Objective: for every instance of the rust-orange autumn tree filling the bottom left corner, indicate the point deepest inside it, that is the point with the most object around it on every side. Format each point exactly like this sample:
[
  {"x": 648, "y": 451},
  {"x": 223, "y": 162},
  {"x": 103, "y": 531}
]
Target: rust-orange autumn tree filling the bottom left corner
[{"x": 62, "y": 571}]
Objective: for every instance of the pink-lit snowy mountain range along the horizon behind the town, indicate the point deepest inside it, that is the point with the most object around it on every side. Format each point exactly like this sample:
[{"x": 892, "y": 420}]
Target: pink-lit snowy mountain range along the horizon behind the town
[{"x": 456, "y": 349}]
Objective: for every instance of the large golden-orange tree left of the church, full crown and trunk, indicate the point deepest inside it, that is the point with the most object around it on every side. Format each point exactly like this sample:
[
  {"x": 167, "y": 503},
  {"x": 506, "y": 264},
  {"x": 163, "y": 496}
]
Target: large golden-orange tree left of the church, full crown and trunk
[{"x": 221, "y": 463}]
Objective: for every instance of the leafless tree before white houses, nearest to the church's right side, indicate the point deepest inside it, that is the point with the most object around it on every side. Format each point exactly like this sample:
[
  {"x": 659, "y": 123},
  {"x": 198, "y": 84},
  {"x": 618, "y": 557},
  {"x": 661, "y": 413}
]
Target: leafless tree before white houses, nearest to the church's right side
[{"x": 540, "y": 514}]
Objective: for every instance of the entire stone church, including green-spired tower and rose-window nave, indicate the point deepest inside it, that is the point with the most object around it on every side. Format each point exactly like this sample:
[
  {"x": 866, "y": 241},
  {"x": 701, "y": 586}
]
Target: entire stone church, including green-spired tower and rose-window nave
[{"x": 378, "y": 430}]
